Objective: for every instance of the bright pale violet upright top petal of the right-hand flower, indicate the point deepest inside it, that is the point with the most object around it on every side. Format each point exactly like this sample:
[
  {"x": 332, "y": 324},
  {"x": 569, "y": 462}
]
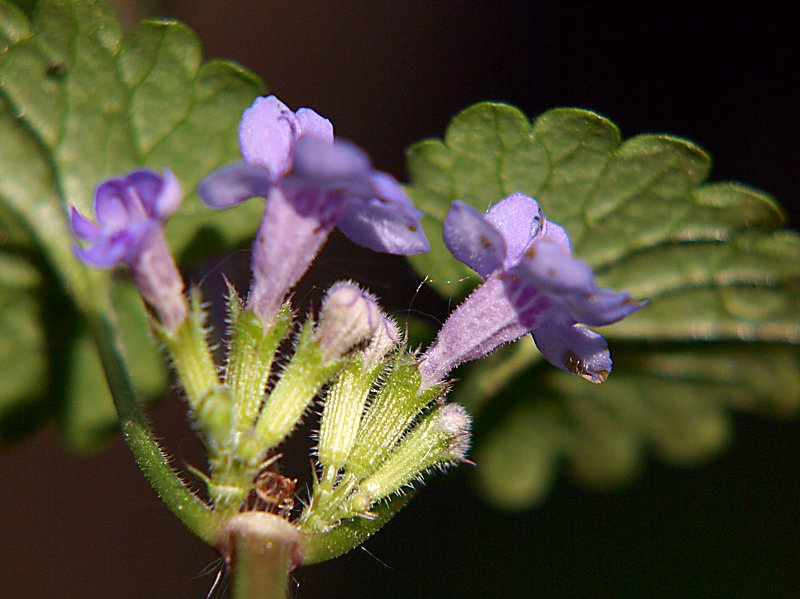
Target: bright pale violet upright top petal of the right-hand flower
[{"x": 518, "y": 219}]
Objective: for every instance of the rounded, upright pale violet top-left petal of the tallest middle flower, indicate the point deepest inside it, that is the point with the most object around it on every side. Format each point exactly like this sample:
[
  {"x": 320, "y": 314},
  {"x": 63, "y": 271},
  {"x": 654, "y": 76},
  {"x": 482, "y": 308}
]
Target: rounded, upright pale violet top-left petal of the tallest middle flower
[{"x": 266, "y": 134}]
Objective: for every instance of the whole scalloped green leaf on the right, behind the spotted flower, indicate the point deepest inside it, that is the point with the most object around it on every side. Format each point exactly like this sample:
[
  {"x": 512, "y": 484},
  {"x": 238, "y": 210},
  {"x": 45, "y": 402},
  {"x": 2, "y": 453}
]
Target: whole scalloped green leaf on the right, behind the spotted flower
[{"x": 721, "y": 277}]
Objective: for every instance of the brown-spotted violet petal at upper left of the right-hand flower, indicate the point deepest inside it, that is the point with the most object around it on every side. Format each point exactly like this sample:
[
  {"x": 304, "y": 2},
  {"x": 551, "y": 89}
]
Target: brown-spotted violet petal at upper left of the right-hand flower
[{"x": 473, "y": 240}]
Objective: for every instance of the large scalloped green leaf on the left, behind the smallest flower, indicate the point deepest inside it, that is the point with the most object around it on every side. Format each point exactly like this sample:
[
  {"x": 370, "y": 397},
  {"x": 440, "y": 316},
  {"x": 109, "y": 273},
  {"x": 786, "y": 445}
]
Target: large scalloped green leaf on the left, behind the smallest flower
[{"x": 80, "y": 103}]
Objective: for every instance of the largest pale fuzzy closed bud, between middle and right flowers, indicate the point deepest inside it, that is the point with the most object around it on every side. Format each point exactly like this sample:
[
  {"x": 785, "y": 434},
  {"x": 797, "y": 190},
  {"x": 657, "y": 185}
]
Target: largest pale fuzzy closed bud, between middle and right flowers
[{"x": 349, "y": 316}]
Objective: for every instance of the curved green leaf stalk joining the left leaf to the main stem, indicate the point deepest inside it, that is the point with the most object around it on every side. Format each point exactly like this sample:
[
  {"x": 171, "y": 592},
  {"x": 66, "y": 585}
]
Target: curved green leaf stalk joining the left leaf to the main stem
[{"x": 188, "y": 508}]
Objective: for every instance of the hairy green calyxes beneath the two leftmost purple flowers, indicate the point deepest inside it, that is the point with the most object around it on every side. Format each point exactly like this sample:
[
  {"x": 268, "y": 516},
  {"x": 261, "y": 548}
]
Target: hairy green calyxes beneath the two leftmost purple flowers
[{"x": 226, "y": 410}]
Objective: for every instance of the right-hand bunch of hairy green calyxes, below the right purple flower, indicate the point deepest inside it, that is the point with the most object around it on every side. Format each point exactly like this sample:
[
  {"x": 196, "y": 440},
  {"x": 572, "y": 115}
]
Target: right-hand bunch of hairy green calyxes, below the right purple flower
[{"x": 378, "y": 436}]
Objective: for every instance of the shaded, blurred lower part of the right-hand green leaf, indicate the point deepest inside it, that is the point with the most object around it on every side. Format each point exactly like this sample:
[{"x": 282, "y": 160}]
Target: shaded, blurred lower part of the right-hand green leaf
[{"x": 673, "y": 401}]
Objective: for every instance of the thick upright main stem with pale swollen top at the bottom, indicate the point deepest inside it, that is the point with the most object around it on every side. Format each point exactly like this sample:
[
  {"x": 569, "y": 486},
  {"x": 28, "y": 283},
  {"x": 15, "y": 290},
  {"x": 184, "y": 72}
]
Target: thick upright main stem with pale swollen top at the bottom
[{"x": 262, "y": 549}]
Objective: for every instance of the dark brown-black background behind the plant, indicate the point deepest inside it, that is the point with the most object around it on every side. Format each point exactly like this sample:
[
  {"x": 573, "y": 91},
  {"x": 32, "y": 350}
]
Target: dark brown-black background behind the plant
[{"x": 389, "y": 73}]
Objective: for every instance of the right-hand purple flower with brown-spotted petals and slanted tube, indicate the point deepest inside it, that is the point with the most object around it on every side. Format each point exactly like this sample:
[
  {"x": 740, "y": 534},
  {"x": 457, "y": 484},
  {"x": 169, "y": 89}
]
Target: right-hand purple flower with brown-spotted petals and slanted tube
[{"x": 532, "y": 284}]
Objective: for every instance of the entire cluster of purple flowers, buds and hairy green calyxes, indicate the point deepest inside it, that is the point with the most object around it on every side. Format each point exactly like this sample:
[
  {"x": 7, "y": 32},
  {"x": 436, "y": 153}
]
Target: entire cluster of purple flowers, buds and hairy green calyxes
[{"x": 384, "y": 421}]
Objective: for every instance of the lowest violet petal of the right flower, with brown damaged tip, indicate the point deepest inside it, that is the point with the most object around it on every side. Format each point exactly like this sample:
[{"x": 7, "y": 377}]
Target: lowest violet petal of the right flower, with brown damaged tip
[{"x": 573, "y": 348}]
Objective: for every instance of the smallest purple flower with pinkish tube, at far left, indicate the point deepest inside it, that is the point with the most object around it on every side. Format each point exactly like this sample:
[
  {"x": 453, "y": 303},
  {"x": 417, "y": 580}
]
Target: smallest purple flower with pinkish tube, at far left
[{"x": 130, "y": 214}]
